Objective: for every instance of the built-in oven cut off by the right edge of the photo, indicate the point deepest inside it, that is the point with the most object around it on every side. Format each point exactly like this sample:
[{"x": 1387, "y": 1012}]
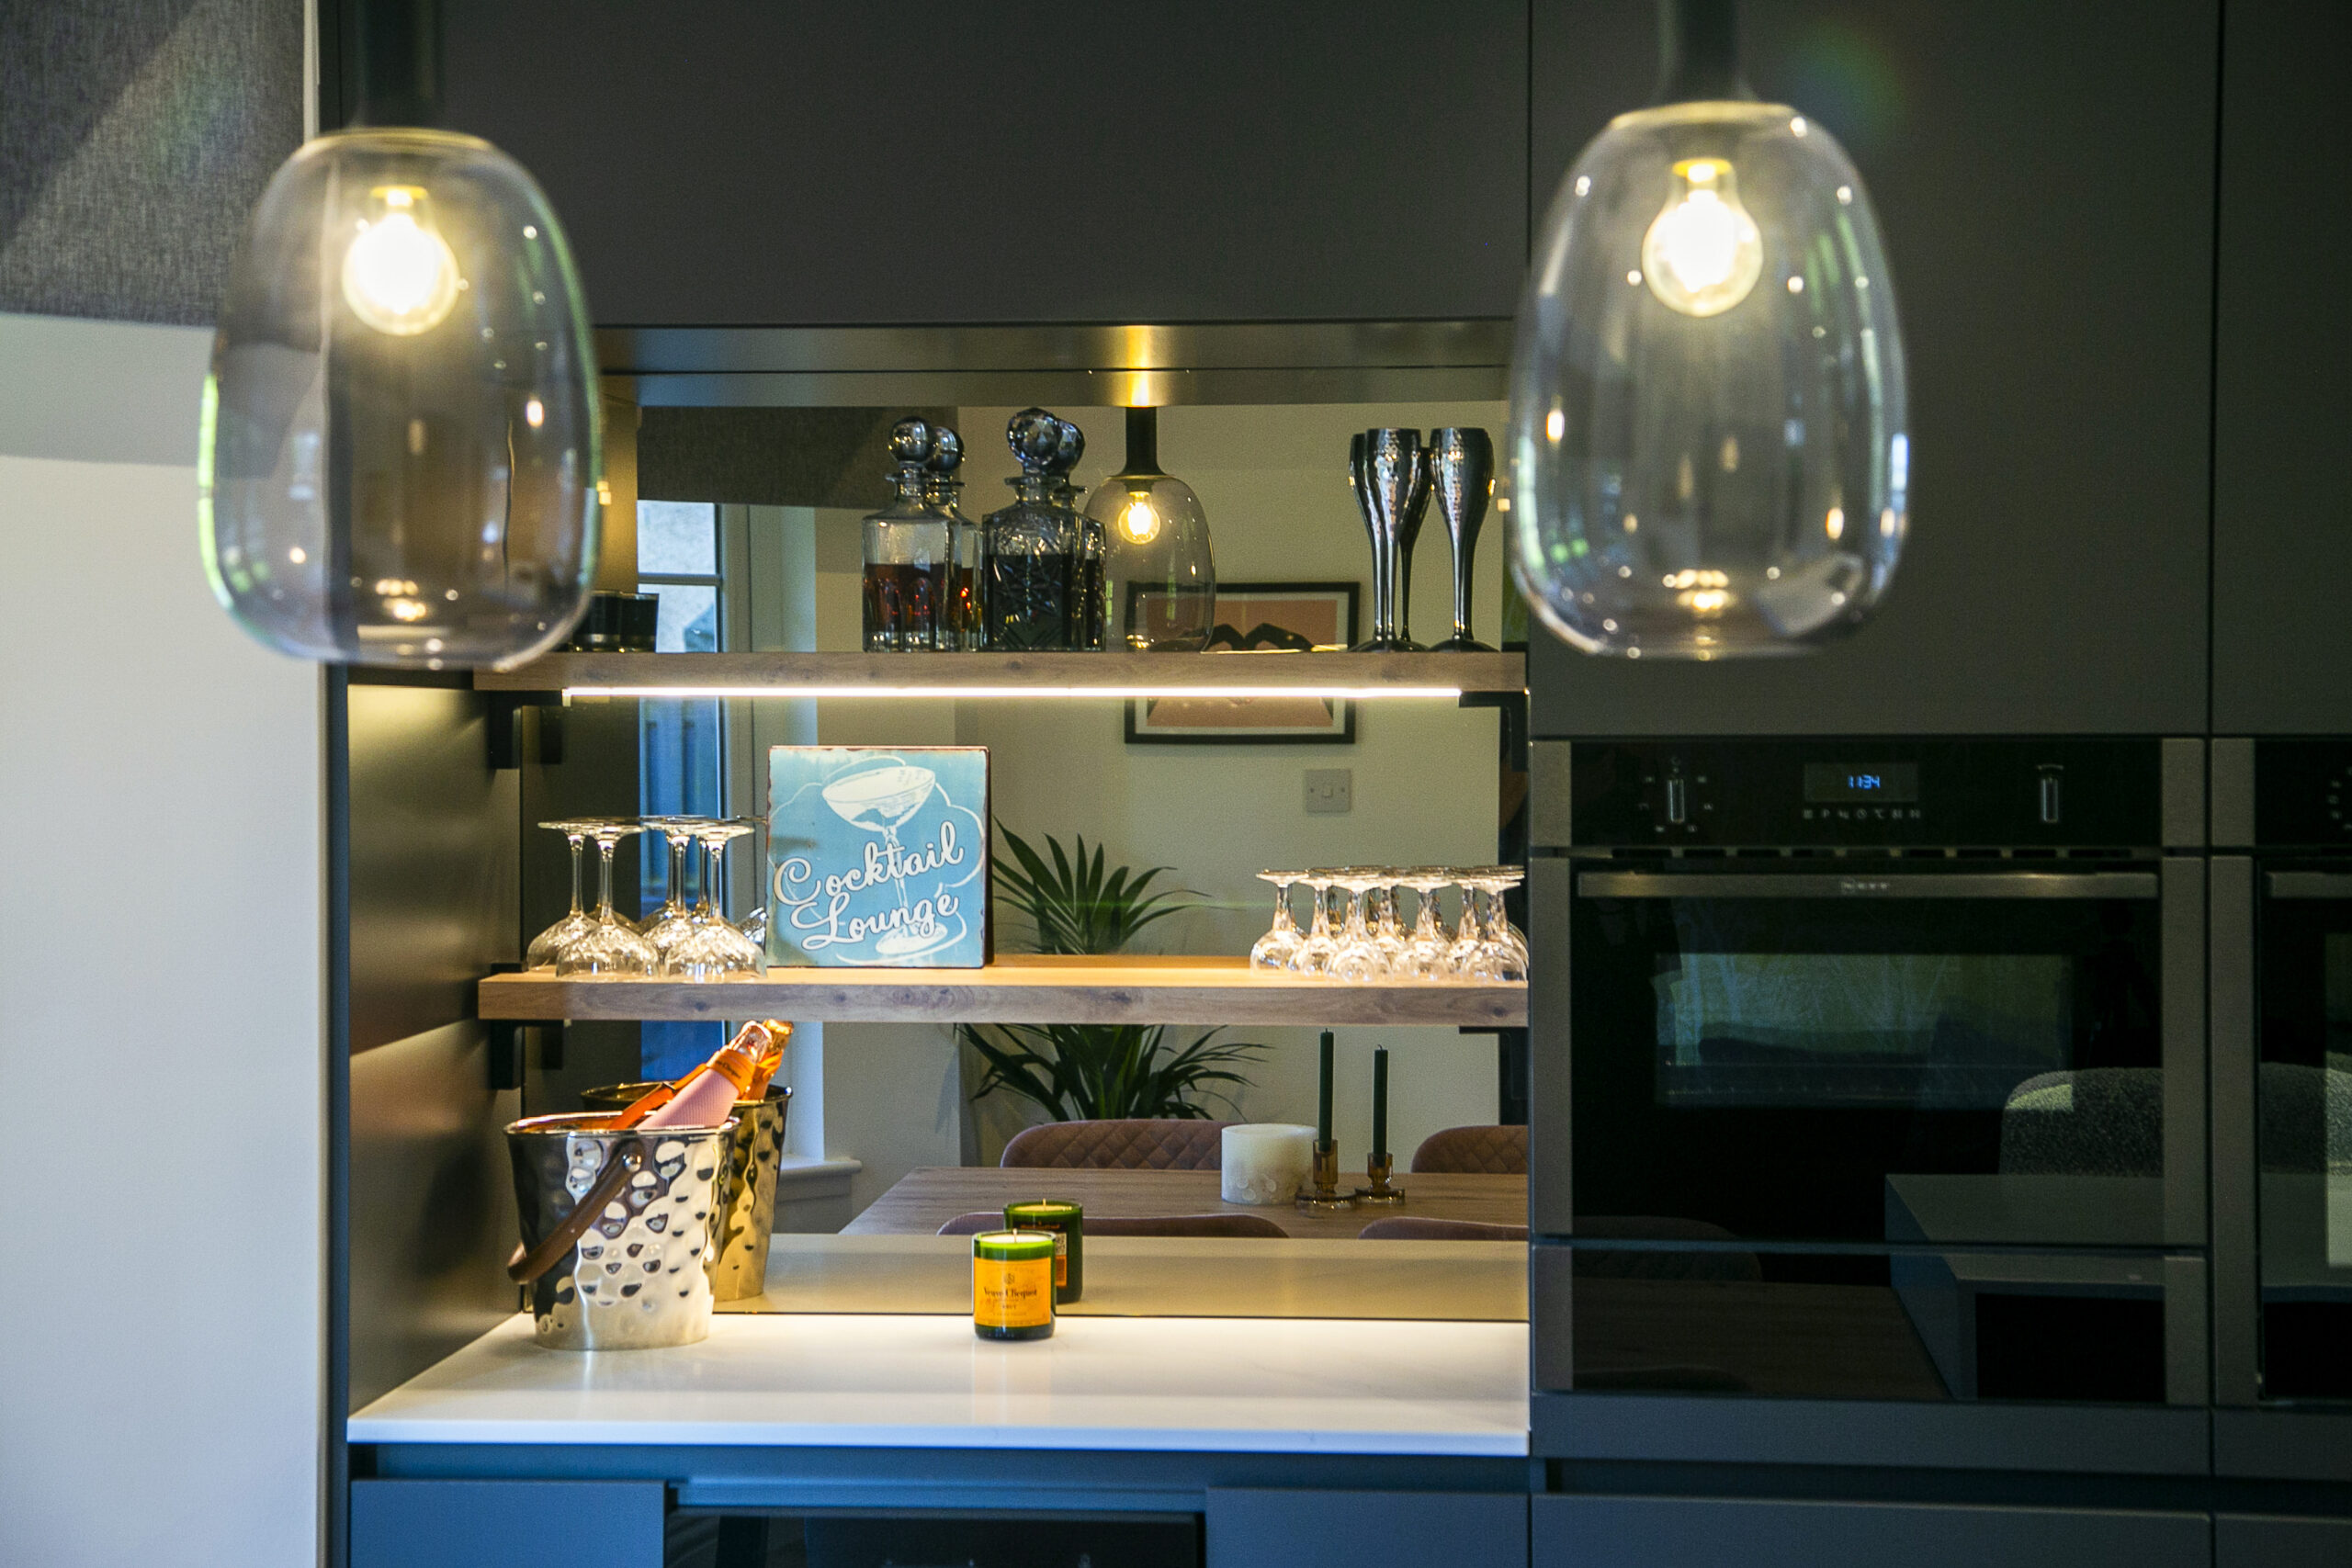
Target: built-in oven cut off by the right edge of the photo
[{"x": 2283, "y": 1071}]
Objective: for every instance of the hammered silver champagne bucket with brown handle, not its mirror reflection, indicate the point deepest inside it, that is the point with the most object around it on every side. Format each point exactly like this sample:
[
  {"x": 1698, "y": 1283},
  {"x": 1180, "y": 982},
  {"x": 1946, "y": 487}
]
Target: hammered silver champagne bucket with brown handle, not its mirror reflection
[{"x": 617, "y": 1231}]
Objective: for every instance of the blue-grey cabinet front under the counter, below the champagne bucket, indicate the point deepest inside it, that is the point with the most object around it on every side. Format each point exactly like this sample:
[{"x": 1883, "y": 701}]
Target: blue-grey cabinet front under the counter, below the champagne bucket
[{"x": 507, "y": 1525}]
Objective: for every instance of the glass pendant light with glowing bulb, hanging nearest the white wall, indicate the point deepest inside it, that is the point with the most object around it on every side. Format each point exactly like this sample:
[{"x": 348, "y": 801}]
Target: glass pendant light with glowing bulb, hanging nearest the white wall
[{"x": 401, "y": 424}]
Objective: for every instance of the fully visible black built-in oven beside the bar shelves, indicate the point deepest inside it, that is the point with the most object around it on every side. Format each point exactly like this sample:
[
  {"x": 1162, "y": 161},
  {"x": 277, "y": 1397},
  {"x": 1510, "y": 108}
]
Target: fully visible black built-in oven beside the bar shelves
[{"x": 1873, "y": 1068}]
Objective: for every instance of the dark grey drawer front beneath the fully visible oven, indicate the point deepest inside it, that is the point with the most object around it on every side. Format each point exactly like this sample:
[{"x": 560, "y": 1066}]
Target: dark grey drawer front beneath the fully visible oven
[{"x": 1709, "y": 1534}]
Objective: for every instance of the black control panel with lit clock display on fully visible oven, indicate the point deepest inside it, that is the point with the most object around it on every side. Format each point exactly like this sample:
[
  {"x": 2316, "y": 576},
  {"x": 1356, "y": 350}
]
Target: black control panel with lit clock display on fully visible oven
[{"x": 1869, "y": 791}]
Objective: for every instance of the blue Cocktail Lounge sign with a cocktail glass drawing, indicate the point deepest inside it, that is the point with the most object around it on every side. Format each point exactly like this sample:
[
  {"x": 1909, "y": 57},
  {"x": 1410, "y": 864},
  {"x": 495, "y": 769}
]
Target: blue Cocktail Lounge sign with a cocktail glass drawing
[{"x": 878, "y": 857}]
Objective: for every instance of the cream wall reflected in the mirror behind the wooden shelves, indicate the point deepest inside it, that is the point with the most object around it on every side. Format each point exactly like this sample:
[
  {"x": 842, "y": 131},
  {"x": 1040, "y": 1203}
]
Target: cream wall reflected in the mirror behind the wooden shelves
[{"x": 1276, "y": 490}]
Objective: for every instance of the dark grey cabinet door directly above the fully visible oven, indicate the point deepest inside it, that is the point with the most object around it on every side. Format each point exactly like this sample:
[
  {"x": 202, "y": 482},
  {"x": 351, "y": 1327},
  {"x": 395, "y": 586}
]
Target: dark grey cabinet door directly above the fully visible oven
[{"x": 2045, "y": 180}]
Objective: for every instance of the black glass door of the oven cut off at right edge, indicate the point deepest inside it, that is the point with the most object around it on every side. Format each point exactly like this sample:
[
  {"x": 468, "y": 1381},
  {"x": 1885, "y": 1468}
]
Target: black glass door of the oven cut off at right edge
[{"x": 2304, "y": 1132}]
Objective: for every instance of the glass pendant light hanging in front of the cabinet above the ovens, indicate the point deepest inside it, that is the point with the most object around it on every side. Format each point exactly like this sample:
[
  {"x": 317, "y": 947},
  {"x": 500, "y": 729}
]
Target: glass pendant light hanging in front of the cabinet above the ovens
[{"x": 1706, "y": 398}]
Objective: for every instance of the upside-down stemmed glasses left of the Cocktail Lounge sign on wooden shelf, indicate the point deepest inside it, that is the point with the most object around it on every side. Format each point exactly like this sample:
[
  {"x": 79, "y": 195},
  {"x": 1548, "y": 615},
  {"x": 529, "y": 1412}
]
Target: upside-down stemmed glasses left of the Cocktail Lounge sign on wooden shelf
[{"x": 681, "y": 942}]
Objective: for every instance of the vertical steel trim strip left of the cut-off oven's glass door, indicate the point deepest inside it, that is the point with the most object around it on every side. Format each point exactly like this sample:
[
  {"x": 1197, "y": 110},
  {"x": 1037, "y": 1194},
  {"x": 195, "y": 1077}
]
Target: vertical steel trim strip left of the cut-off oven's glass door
[{"x": 2231, "y": 1064}]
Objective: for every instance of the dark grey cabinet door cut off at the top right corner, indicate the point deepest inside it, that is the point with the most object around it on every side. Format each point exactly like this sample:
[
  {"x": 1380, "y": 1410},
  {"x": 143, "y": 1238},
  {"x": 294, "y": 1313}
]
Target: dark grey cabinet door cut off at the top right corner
[{"x": 2283, "y": 415}]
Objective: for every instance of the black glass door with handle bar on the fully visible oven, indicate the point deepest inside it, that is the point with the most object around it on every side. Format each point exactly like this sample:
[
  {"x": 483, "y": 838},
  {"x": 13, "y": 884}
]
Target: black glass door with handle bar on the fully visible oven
[{"x": 1869, "y": 1057}]
